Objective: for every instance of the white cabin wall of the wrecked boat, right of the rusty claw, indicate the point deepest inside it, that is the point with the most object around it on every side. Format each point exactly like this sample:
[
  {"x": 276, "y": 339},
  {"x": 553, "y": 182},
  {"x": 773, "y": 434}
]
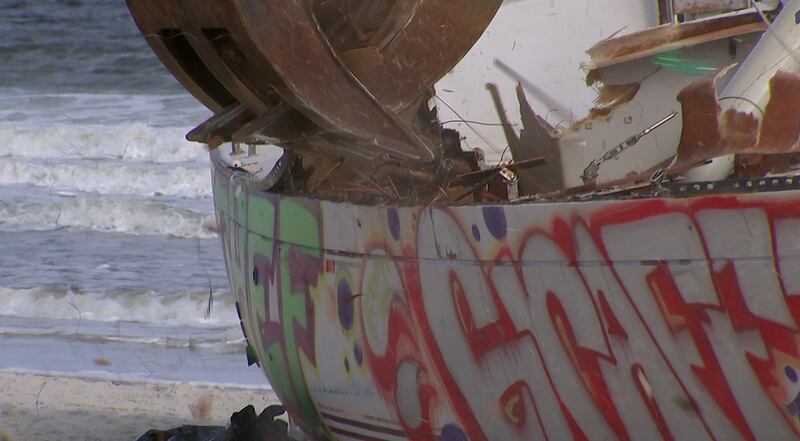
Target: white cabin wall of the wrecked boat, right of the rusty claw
[{"x": 545, "y": 42}]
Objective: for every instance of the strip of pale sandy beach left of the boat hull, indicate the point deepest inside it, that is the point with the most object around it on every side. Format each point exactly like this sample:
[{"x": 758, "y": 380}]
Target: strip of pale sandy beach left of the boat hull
[{"x": 53, "y": 408}]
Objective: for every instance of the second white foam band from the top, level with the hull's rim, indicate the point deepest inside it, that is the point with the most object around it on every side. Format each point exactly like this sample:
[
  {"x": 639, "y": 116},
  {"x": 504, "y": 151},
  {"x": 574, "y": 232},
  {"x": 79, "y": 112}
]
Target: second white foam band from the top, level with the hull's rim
[{"x": 108, "y": 177}]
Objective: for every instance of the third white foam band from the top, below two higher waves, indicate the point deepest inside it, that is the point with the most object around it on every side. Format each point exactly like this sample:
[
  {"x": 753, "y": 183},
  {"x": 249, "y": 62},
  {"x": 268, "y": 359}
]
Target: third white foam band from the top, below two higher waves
[{"x": 107, "y": 213}]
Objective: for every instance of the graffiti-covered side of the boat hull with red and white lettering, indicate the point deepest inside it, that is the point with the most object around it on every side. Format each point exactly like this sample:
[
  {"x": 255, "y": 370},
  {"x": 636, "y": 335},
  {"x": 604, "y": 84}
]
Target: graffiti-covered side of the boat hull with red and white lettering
[{"x": 649, "y": 319}]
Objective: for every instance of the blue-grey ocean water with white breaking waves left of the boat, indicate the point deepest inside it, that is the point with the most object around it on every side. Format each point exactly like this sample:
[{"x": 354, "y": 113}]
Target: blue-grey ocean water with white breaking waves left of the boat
[{"x": 109, "y": 258}]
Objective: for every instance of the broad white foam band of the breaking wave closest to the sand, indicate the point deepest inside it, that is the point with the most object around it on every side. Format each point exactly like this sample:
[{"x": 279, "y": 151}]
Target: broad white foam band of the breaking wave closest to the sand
[{"x": 142, "y": 307}]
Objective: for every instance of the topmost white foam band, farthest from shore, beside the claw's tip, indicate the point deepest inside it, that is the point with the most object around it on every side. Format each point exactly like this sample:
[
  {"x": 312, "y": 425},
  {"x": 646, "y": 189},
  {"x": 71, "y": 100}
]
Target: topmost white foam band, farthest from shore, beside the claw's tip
[{"x": 123, "y": 141}]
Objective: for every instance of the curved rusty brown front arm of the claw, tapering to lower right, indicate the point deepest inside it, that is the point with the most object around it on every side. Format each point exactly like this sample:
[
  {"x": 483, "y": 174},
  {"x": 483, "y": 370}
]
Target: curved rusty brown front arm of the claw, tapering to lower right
[{"x": 290, "y": 39}]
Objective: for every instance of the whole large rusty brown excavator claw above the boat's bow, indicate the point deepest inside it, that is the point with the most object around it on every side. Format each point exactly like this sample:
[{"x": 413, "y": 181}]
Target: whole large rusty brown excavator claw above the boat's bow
[{"x": 337, "y": 78}]
